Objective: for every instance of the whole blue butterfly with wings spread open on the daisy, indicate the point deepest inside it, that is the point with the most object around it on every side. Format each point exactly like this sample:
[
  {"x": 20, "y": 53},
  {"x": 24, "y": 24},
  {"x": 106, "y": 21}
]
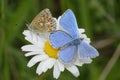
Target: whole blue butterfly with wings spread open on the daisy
[{"x": 69, "y": 42}]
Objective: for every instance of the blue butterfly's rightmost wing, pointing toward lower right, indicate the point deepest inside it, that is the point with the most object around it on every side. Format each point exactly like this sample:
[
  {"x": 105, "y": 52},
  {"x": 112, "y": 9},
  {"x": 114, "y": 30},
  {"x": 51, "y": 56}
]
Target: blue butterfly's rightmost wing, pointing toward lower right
[{"x": 85, "y": 50}]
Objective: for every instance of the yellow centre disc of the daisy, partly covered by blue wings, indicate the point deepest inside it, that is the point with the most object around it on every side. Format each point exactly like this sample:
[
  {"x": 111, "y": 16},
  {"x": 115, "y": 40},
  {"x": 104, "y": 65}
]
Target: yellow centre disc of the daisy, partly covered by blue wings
[{"x": 50, "y": 51}]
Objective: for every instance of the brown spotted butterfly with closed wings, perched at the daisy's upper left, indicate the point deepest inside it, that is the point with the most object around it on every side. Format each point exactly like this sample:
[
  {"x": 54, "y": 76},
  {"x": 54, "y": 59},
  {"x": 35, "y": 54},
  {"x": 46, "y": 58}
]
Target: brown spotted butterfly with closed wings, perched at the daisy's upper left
[{"x": 43, "y": 22}]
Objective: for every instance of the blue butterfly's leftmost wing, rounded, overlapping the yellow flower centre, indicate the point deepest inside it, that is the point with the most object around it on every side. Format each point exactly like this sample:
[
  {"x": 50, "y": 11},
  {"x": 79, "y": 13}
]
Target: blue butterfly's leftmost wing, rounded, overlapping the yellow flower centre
[{"x": 59, "y": 38}]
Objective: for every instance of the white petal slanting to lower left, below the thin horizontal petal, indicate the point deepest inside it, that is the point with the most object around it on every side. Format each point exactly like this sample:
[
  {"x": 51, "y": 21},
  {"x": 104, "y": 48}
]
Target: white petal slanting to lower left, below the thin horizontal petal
[{"x": 36, "y": 59}]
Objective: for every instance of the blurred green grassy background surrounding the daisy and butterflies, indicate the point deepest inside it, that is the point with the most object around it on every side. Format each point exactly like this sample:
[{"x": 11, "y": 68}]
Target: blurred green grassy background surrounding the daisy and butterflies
[{"x": 100, "y": 18}]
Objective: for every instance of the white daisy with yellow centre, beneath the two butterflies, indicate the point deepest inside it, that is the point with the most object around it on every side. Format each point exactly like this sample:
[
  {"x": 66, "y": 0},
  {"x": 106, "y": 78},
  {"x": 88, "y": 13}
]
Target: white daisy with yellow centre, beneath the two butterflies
[{"x": 47, "y": 57}]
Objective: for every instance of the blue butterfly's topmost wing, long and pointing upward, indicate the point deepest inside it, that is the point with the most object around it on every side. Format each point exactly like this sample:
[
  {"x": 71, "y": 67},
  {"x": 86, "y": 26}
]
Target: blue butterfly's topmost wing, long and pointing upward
[{"x": 68, "y": 22}]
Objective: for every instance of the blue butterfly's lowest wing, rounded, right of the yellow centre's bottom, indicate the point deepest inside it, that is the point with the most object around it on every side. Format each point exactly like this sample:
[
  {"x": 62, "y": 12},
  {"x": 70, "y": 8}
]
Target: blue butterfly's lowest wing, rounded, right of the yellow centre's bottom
[{"x": 67, "y": 54}]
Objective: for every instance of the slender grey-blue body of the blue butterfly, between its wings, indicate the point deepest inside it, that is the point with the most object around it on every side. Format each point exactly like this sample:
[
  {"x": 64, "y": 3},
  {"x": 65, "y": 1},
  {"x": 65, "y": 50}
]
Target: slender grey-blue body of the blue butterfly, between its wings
[{"x": 71, "y": 43}]
